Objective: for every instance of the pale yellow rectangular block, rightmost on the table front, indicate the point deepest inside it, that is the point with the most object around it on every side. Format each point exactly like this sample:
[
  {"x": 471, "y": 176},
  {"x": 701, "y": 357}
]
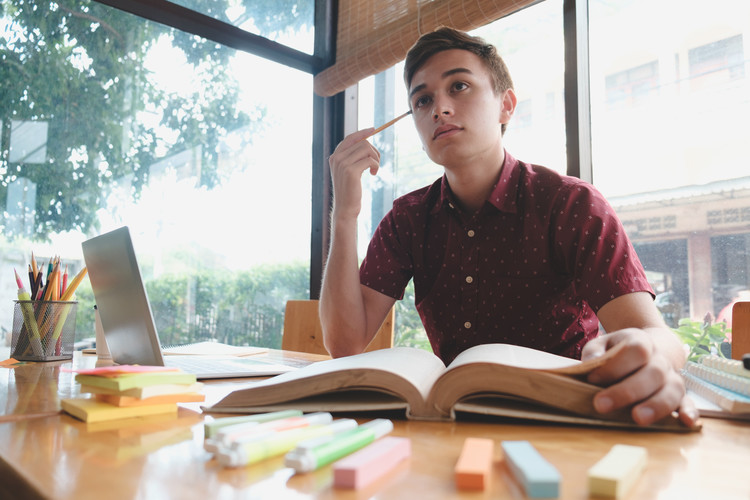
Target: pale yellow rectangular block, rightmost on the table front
[{"x": 615, "y": 474}]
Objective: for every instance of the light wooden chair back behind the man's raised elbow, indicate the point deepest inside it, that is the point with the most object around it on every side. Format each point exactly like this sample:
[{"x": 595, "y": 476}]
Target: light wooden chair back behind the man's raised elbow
[{"x": 303, "y": 333}]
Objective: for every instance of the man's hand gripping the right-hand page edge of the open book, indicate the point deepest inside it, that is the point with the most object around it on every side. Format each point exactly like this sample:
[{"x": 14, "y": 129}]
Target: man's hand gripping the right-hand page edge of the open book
[{"x": 639, "y": 375}]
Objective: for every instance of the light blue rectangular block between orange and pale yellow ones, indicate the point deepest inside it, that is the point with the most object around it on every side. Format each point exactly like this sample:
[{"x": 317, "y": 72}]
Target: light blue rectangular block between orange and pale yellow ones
[{"x": 539, "y": 478}]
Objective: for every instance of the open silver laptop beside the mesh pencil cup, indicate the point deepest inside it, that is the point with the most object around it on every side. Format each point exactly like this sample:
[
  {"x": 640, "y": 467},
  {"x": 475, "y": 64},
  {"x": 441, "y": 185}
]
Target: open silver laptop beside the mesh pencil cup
[{"x": 128, "y": 323}]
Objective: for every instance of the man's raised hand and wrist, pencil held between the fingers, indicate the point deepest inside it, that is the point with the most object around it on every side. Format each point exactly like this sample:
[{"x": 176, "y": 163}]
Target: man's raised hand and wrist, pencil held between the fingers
[{"x": 351, "y": 158}]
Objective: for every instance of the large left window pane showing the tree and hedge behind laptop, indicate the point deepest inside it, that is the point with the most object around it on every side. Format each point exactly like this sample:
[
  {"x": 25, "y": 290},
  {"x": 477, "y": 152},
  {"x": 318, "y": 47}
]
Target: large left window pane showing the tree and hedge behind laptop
[{"x": 109, "y": 120}]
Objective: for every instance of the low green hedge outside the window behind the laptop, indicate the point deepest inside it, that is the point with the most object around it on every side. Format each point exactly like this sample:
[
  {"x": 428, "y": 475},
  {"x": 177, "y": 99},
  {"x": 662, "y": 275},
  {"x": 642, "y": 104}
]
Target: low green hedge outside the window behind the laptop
[{"x": 242, "y": 309}]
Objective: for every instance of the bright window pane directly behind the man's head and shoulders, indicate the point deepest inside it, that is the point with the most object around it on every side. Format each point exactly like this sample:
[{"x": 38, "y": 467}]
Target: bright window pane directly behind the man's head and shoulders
[{"x": 528, "y": 40}]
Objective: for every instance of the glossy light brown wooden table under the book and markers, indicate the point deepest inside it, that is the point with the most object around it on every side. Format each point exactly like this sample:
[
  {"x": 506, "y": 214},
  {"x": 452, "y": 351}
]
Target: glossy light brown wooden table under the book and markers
[{"x": 46, "y": 454}]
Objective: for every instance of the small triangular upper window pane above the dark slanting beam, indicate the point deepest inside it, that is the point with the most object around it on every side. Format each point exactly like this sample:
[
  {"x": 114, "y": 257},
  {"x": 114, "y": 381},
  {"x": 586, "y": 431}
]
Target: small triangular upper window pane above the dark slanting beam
[{"x": 289, "y": 22}]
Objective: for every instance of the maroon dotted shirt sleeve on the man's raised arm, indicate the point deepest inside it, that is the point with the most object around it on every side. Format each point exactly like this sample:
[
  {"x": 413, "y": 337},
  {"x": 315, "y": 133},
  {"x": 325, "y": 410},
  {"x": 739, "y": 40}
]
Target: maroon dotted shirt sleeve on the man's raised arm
[{"x": 387, "y": 266}]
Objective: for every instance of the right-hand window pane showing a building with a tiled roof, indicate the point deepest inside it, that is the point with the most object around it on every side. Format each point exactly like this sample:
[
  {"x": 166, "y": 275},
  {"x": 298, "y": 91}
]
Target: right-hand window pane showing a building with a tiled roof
[{"x": 670, "y": 129}]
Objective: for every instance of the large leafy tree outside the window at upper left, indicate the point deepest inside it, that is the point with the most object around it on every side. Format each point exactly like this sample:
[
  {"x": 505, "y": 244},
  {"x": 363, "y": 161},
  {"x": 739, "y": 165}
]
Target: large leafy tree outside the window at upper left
[{"x": 78, "y": 66}]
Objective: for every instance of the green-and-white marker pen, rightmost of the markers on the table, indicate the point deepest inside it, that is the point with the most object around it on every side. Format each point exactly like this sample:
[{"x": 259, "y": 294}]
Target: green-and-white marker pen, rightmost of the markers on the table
[{"x": 307, "y": 459}]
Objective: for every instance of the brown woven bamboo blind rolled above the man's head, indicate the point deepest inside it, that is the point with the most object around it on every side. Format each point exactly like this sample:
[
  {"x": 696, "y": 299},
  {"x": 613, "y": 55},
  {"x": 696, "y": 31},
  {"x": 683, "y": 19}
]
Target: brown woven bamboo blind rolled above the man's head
[{"x": 373, "y": 35}]
